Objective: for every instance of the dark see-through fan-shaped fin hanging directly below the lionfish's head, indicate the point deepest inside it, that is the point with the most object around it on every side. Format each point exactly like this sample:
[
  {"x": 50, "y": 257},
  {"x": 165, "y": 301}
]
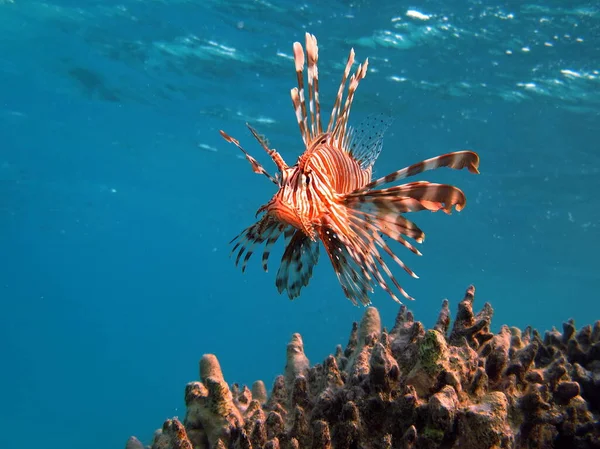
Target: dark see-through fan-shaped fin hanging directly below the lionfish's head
[{"x": 299, "y": 258}]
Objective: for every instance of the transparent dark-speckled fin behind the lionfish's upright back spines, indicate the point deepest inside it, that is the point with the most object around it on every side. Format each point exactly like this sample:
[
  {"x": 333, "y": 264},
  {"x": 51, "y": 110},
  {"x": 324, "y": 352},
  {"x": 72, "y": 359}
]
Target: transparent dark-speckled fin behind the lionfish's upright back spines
[{"x": 366, "y": 140}]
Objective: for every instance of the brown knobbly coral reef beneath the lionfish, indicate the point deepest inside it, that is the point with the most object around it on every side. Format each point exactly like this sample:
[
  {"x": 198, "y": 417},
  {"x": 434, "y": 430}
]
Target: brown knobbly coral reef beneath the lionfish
[{"x": 408, "y": 388}]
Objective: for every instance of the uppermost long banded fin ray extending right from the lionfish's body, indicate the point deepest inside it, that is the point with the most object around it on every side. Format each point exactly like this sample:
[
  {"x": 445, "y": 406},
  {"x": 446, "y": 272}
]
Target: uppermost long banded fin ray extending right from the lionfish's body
[{"x": 457, "y": 160}]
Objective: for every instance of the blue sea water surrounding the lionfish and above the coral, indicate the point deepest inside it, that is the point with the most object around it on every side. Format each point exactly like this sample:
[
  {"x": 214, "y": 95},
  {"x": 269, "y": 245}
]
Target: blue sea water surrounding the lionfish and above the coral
[{"x": 118, "y": 197}]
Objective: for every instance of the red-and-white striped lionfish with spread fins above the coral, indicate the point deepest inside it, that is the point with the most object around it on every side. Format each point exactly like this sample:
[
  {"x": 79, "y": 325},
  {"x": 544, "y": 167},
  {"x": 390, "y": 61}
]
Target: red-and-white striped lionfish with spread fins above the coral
[{"x": 328, "y": 196}]
